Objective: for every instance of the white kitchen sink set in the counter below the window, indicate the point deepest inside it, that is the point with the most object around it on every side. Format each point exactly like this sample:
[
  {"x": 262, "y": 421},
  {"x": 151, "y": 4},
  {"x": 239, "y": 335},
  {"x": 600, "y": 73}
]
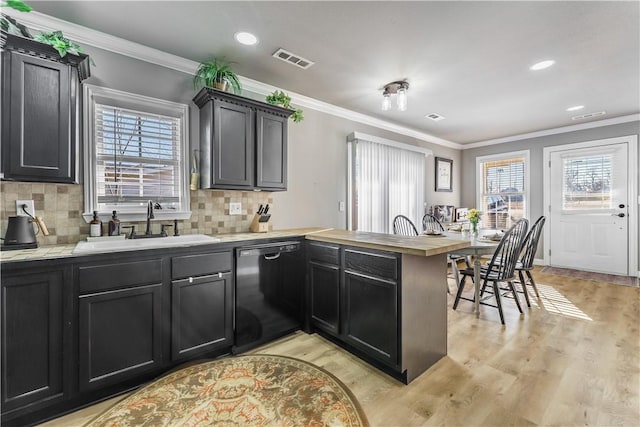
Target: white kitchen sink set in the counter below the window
[{"x": 137, "y": 244}]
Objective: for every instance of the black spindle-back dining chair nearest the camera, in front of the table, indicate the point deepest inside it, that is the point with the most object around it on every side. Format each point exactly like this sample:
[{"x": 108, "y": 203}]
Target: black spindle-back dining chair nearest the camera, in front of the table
[{"x": 501, "y": 268}]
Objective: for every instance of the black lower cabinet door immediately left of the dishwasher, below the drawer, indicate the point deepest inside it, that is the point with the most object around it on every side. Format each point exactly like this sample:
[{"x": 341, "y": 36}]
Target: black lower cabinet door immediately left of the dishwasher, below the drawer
[{"x": 201, "y": 314}]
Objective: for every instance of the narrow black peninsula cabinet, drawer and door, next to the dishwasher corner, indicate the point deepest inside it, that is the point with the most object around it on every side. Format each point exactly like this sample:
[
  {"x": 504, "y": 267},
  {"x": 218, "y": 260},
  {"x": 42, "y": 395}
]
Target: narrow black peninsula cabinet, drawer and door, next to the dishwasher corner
[{"x": 324, "y": 286}]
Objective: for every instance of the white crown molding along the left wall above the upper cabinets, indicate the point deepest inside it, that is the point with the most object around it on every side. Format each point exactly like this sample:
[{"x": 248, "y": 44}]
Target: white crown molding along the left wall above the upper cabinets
[{"x": 87, "y": 36}]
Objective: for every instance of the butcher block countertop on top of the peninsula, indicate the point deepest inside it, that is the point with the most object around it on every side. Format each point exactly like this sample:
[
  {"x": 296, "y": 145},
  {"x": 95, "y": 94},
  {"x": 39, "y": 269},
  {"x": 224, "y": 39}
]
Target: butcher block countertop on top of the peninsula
[{"x": 413, "y": 245}]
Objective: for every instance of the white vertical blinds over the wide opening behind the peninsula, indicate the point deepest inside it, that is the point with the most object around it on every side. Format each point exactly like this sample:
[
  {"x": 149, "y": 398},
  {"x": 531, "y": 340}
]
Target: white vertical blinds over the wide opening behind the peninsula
[{"x": 386, "y": 179}]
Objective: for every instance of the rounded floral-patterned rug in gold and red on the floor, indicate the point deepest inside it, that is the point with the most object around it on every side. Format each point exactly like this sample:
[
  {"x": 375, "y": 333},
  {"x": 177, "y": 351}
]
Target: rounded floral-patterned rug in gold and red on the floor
[{"x": 252, "y": 390}]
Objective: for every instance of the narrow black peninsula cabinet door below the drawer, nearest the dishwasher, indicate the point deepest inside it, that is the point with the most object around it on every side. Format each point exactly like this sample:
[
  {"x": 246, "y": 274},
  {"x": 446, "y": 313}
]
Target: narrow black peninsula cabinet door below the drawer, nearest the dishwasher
[{"x": 324, "y": 293}]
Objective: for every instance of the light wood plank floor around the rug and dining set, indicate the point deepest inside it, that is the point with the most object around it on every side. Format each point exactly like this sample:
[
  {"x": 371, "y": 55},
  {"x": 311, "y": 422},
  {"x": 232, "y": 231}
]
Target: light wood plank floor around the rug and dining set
[{"x": 572, "y": 359}]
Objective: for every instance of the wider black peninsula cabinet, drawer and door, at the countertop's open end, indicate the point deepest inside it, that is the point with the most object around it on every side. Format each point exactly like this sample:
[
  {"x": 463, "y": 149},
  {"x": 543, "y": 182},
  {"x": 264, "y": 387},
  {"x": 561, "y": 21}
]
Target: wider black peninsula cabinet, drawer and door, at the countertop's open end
[{"x": 370, "y": 303}]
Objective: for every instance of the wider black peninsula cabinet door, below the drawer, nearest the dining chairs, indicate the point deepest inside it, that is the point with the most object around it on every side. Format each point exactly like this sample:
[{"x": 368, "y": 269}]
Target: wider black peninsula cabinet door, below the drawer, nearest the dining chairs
[{"x": 371, "y": 316}]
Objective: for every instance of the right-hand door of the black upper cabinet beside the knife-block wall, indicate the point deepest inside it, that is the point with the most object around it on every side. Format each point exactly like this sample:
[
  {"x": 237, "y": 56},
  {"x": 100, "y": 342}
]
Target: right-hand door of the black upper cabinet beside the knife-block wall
[{"x": 271, "y": 151}]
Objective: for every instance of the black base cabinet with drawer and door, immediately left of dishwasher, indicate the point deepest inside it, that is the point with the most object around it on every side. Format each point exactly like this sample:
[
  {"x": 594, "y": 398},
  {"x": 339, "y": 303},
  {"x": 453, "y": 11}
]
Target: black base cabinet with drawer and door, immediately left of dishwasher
[{"x": 201, "y": 304}]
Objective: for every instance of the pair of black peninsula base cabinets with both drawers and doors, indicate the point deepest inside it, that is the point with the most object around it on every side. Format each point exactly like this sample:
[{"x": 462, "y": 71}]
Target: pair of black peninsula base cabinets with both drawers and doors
[{"x": 354, "y": 296}]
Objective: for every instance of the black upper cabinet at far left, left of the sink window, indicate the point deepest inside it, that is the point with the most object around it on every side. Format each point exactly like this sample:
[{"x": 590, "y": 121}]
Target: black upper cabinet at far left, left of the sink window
[{"x": 40, "y": 111}]
